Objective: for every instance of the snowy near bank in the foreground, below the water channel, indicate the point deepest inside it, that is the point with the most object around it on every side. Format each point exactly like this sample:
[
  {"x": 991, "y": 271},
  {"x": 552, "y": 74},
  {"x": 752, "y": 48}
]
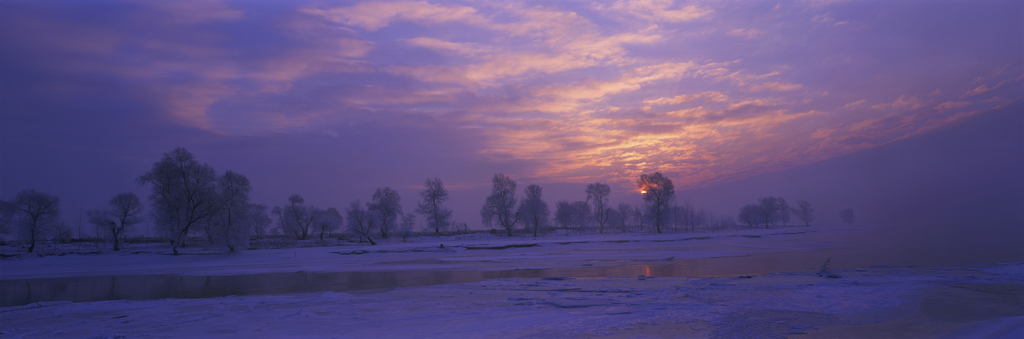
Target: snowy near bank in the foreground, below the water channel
[{"x": 966, "y": 302}]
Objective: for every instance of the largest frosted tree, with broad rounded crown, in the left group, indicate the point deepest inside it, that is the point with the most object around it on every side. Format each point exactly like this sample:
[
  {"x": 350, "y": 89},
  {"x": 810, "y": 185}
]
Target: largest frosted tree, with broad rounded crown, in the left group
[{"x": 184, "y": 194}]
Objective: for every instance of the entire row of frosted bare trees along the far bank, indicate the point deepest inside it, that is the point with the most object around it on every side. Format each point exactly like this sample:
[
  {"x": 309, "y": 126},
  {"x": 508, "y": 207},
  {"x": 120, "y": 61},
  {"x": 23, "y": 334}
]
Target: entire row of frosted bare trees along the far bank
[{"x": 188, "y": 197}]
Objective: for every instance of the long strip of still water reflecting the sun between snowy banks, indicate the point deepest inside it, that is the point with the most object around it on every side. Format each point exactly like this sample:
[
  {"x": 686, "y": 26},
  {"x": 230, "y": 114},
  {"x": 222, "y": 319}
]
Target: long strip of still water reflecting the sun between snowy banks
[{"x": 899, "y": 248}]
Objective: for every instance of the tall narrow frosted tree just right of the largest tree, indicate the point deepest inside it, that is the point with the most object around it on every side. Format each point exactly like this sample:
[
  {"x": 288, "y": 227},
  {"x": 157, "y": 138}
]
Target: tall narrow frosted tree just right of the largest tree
[{"x": 234, "y": 191}]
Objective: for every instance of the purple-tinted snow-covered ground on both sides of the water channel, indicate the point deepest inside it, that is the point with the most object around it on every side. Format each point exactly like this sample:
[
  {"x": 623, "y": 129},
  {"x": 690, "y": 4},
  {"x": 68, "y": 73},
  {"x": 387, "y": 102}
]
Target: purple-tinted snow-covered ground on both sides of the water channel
[{"x": 956, "y": 301}]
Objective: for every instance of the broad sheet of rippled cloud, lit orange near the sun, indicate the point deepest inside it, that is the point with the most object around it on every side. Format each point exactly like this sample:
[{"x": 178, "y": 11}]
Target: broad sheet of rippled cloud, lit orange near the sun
[{"x": 578, "y": 92}]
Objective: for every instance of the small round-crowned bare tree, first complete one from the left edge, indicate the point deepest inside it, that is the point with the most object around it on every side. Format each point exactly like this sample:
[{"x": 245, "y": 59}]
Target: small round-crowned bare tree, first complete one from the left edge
[{"x": 36, "y": 213}]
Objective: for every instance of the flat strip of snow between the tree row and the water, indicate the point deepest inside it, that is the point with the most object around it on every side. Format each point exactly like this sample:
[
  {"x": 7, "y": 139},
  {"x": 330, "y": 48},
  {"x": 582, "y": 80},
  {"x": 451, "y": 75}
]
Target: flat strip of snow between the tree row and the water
[{"x": 550, "y": 252}]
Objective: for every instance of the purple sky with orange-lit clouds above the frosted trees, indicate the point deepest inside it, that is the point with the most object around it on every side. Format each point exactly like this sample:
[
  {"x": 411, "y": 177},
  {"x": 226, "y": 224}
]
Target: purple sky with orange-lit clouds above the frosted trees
[{"x": 333, "y": 100}]
